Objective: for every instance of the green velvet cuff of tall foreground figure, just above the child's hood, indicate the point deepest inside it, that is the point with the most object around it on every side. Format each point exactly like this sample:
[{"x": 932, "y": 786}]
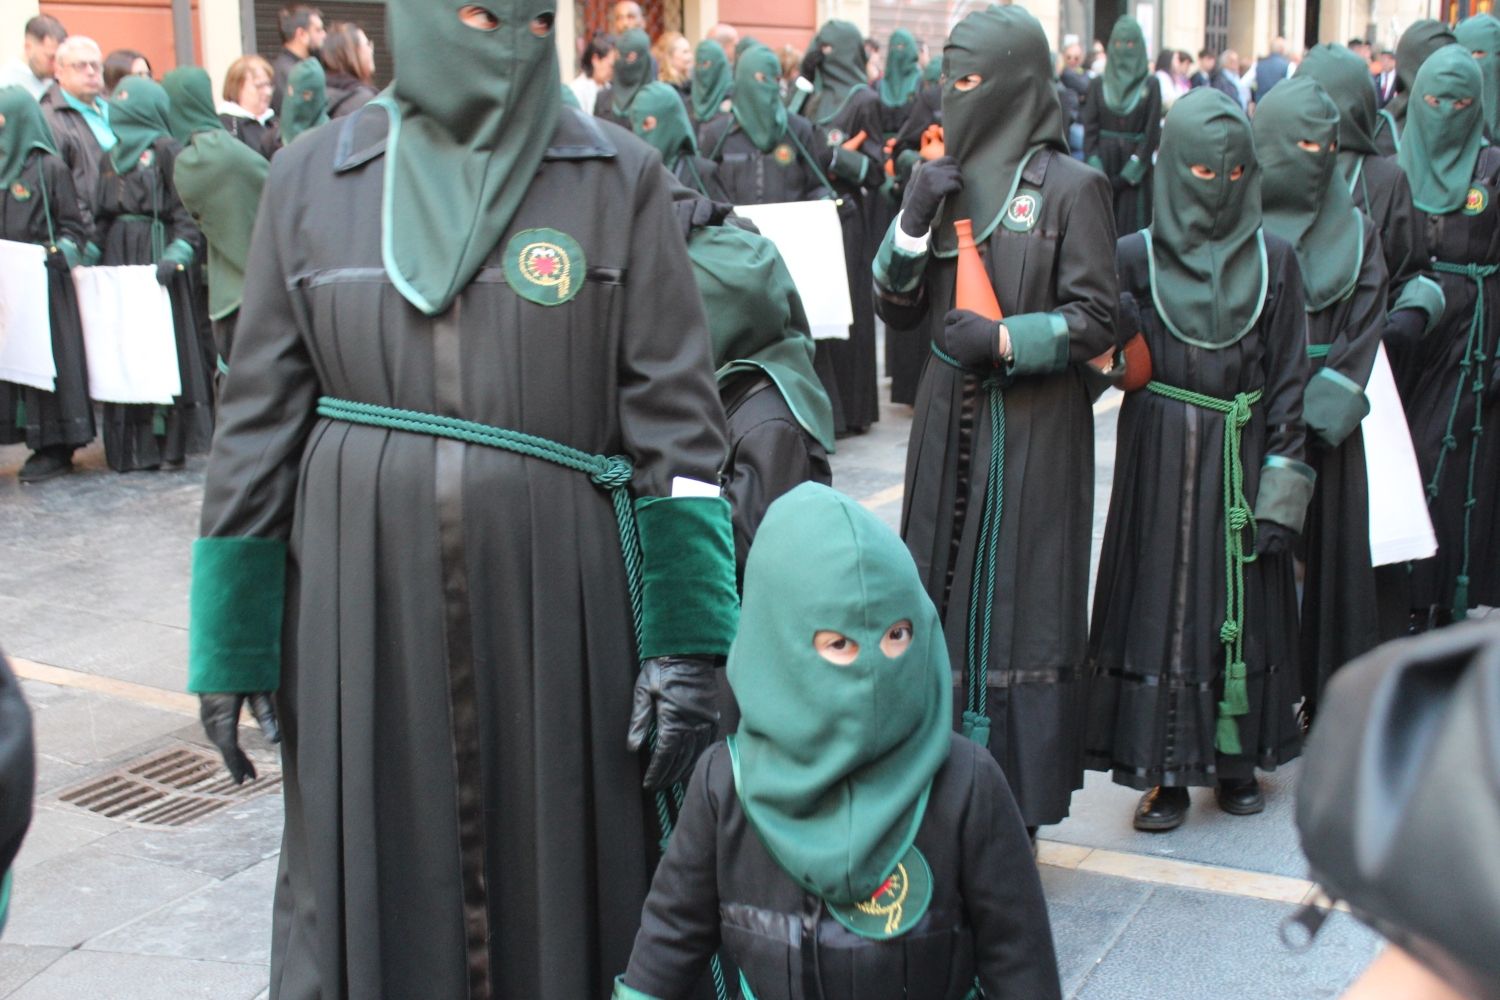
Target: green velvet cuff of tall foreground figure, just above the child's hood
[{"x": 688, "y": 567}]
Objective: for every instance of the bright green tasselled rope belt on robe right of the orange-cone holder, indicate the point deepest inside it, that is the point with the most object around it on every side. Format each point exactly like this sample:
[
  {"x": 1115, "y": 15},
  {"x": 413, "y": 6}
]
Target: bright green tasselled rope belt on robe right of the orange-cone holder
[{"x": 1238, "y": 518}]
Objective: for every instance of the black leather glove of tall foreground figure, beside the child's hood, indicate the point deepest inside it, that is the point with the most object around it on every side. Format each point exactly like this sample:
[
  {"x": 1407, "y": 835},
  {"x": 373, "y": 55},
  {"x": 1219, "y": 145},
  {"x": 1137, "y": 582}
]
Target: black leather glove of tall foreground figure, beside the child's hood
[{"x": 680, "y": 695}]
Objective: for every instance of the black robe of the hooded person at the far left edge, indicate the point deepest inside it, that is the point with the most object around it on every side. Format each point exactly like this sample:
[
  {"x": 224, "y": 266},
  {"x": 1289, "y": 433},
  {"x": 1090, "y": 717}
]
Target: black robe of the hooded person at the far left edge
[{"x": 64, "y": 418}]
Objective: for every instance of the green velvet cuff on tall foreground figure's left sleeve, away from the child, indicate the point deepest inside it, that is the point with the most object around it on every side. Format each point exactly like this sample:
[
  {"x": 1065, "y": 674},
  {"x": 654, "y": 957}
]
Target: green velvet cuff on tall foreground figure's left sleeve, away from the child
[{"x": 235, "y": 618}]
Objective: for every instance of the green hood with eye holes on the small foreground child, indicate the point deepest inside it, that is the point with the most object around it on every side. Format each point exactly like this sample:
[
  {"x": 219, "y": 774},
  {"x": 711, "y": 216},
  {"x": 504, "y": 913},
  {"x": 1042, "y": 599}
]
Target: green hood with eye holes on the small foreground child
[{"x": 833, "y": 764}]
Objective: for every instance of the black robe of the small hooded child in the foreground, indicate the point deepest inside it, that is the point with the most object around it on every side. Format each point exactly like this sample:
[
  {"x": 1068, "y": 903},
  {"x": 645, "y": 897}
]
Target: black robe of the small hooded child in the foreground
[{"x": 719, "y": 888}]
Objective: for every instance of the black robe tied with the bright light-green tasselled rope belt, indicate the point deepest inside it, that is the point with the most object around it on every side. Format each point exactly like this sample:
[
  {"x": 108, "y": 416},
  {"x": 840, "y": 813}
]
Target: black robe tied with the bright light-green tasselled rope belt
[{"x": 1156, "y": 657}]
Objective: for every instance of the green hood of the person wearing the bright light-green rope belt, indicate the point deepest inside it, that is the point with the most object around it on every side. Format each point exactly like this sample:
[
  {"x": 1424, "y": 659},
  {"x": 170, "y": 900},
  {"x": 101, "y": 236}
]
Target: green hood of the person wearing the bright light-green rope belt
[{"x": 1208, "y": 257}]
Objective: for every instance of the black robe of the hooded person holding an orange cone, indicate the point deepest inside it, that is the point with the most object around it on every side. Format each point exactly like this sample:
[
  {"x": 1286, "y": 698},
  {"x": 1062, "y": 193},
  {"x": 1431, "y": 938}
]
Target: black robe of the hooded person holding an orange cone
[{"x": 1039, "y": 624}]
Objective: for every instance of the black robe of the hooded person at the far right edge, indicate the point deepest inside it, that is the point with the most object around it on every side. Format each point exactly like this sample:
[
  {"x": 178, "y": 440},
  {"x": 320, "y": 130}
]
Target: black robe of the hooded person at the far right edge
[{"x": 1429, "y": 388}]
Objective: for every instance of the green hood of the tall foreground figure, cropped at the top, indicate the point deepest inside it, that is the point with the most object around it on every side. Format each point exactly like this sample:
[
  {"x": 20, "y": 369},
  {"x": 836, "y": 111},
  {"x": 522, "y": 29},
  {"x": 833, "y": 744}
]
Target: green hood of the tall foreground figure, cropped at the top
[{"x": 472, "y": 115}]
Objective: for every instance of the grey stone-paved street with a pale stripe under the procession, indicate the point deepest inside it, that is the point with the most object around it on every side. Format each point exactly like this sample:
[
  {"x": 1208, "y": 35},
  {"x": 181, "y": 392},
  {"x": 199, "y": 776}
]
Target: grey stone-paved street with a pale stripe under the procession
[{"x": 94, "y": 612}]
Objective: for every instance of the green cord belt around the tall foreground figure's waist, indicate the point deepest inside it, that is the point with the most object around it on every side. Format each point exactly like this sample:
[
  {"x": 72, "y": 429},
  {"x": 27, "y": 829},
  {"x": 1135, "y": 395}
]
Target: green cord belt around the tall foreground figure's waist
[{"x": 608, "y": 473}]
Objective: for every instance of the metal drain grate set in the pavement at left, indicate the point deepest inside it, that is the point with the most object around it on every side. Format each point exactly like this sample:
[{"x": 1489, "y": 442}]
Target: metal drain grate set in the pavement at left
[{"x": 170, "y": 788}]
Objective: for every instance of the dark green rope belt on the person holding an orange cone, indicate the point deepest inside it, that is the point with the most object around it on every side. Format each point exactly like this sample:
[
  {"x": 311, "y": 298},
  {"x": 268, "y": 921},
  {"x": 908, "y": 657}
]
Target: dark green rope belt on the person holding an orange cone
[{"x": 986, "y": 560}]
